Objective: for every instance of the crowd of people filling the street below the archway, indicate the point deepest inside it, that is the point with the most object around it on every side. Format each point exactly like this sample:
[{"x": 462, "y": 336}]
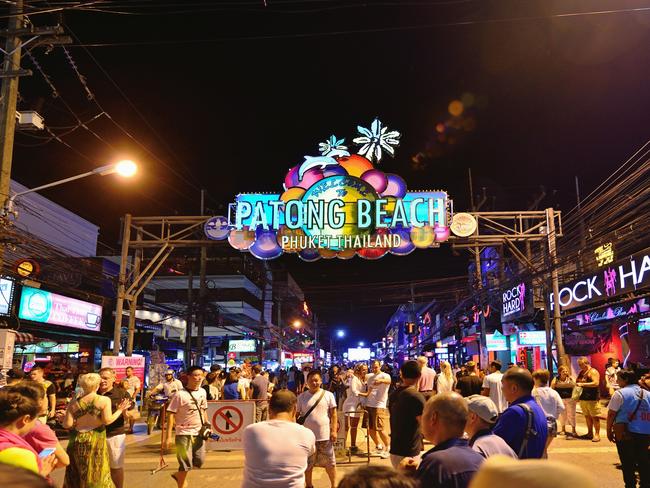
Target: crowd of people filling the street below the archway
[{"x": 473, "y": 419}]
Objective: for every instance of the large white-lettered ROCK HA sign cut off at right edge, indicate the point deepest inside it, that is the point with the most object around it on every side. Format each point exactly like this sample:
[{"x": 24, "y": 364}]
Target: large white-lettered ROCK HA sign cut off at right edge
[{"x": 623, "y": 277}]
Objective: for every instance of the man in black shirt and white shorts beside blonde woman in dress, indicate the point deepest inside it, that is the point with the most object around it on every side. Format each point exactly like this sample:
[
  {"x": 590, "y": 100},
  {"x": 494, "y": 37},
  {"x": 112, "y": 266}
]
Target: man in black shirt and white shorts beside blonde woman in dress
[{"x": 116, "y": 431}]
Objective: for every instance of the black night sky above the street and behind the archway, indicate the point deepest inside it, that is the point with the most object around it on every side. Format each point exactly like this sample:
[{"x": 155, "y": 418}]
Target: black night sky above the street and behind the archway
[{"x": 233, "y": 95}]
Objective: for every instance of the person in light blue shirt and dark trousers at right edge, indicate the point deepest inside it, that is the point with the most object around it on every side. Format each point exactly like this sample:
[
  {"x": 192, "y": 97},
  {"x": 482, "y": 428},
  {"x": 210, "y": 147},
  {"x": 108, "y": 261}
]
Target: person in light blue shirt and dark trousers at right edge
[{"x": 628, "y": 425}]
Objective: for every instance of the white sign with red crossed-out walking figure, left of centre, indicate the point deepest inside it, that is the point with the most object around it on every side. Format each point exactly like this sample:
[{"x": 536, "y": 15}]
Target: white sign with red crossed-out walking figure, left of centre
[{"x": 228, "y": 419}]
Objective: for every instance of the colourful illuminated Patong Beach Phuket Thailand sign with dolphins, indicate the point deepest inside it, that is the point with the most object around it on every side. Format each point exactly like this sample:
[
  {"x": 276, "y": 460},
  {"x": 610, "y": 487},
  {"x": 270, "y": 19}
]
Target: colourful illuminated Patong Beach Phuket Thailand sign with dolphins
[{"x": 339, "y": 205}]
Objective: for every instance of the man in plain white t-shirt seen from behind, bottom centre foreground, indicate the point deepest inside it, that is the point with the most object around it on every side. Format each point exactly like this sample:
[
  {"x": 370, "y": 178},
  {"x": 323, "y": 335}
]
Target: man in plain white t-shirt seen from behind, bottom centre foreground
[{"x": 273, "y": 464}]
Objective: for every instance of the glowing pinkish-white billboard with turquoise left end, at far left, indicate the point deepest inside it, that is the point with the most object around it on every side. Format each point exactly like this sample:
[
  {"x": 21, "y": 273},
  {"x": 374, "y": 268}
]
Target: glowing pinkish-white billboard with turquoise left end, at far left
[{"x": 43, "y": 306}]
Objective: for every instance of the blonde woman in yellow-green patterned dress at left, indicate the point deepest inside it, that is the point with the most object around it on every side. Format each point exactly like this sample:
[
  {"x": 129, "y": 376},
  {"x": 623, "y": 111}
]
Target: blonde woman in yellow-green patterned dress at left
[{"x": 87, "y": 416}]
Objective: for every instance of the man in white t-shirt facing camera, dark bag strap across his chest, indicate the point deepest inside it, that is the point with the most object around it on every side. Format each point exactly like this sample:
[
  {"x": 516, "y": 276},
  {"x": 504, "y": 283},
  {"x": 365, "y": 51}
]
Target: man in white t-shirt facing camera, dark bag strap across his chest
[{"x": 322, "y": 421}]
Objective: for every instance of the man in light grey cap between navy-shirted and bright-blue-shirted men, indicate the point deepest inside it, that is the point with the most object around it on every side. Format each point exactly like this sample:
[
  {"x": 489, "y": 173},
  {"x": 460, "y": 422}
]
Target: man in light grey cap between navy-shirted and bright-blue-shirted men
[{"x": 483, "y": 414}]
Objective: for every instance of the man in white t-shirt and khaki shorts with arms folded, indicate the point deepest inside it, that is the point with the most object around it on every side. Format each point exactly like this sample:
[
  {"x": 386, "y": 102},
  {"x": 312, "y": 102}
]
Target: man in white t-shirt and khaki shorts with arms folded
[{"x": 378, "y": 420}]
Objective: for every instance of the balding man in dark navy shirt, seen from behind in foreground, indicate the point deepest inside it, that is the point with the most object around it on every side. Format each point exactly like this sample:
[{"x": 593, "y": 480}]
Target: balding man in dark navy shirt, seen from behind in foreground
[{"x": 452, "y": 463}]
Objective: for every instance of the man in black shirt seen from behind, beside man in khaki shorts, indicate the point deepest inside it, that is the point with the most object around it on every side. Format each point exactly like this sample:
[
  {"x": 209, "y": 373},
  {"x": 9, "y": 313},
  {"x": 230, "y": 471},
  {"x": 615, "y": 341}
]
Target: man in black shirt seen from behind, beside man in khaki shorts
[{"x": 406, "y": 405}]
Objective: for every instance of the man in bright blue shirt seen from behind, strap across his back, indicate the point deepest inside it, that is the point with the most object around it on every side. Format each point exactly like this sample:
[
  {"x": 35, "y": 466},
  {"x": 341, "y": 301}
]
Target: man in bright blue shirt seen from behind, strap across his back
[{"x": 523, "y": 424}]
